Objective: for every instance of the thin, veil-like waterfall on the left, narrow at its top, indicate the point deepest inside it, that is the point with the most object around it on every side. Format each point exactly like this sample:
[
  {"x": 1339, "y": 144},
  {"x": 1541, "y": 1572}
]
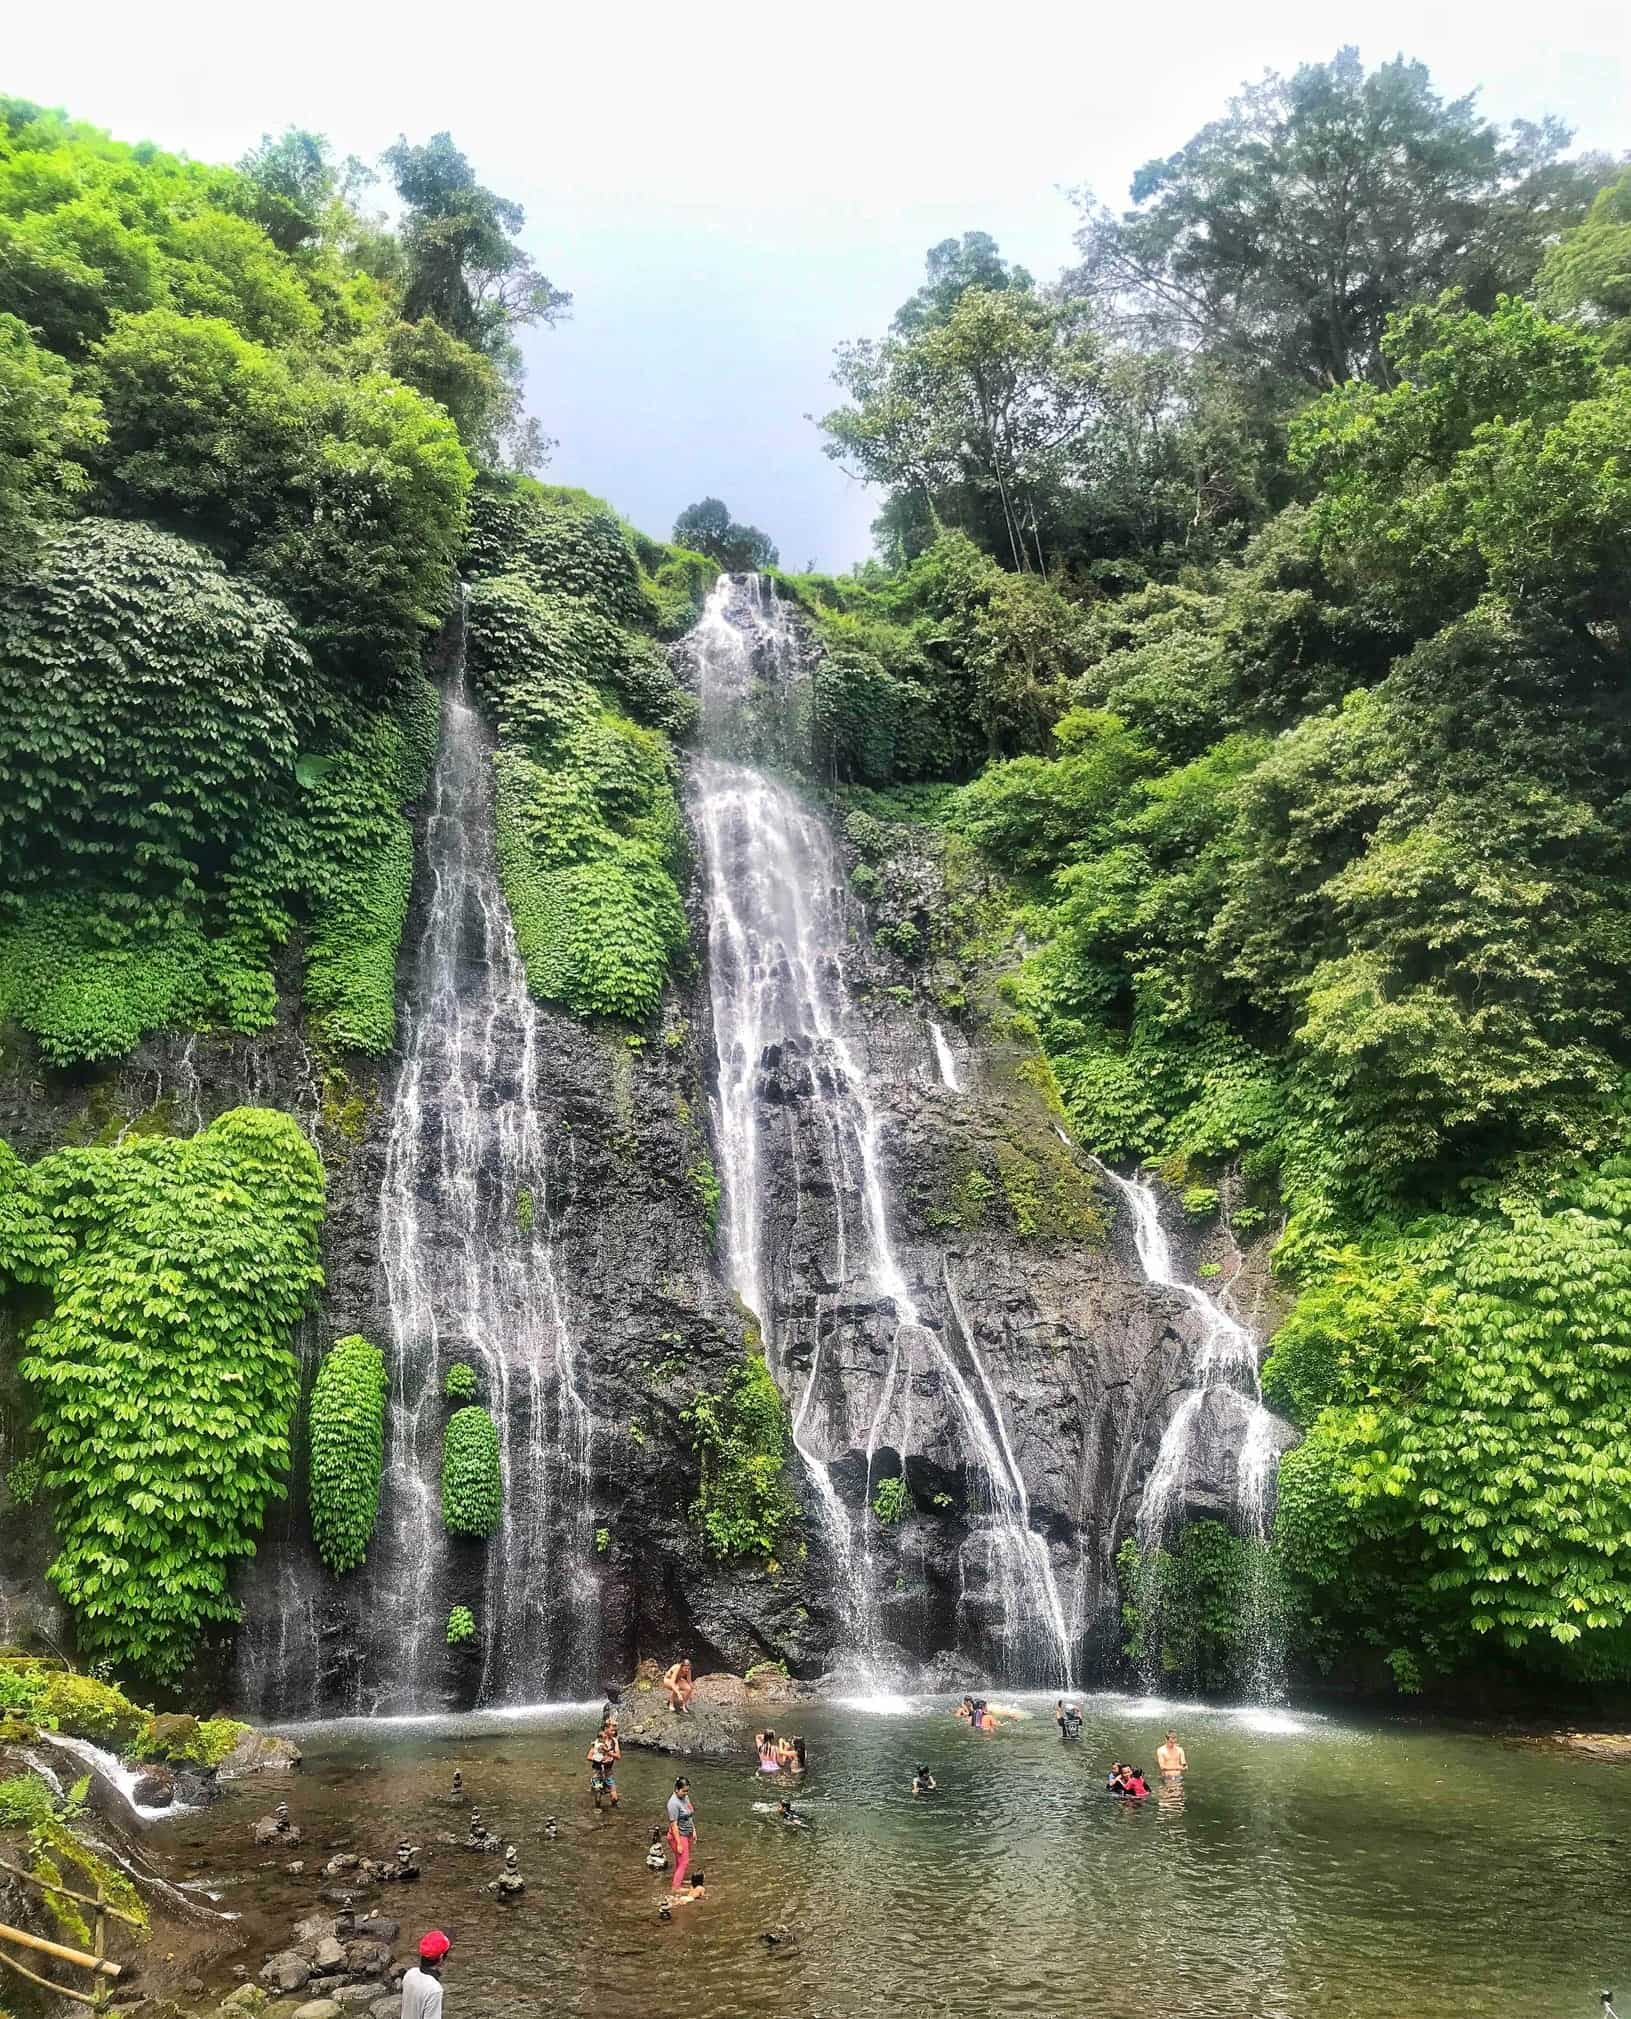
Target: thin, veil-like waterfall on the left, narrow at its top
[{"x": 469, "y": 1273}]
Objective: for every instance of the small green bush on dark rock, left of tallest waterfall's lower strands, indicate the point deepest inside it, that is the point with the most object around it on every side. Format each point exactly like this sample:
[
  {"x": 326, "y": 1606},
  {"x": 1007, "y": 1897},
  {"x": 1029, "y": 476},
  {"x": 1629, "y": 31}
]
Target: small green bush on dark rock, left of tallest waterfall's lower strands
[{"x": 742, "y": 1443}]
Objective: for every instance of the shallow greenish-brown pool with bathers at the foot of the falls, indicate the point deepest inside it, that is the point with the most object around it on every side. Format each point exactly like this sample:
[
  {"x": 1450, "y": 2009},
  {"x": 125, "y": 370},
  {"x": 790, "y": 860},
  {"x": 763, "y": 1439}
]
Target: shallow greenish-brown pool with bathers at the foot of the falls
[{"x": 1311, "y": 1867}]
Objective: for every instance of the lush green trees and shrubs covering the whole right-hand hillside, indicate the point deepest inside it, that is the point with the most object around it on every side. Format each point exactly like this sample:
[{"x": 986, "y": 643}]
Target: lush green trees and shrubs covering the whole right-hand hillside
[{"x": 1271, "y": 607}]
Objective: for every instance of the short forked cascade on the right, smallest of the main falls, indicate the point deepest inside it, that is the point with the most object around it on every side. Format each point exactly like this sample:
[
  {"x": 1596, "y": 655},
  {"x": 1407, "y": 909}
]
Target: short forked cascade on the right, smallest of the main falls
[{"x": 1226, "y": 1386}]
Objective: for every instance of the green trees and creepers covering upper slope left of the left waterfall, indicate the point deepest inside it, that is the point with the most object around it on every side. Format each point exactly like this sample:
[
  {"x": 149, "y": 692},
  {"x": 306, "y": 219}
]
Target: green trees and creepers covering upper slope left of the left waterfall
[{"x": 267, "y": 403}]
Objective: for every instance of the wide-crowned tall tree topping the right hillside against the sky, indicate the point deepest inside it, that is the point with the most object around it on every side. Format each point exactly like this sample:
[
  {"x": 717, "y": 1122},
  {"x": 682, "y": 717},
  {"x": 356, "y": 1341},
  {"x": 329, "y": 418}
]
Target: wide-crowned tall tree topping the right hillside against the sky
[{"x": 1287, "y": 233}]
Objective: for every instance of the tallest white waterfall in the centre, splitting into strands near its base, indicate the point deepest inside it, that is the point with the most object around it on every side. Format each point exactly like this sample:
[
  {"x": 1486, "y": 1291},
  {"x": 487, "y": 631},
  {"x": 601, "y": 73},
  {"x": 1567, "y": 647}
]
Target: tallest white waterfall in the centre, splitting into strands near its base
[{"x": 782, "y": 1011}]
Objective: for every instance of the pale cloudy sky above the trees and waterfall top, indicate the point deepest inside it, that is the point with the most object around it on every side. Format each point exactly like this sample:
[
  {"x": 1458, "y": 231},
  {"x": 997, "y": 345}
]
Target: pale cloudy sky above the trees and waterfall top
[{"x": 734, "y": 191}]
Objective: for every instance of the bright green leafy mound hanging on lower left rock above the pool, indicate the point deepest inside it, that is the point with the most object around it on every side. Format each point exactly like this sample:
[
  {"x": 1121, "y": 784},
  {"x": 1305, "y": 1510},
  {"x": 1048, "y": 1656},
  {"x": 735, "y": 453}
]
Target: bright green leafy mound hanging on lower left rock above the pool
[{"x": 160, "y": 1374}]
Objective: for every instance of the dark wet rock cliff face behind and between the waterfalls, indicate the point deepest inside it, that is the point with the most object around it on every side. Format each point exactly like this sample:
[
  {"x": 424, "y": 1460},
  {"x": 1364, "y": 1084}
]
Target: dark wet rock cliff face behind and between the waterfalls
[{"x": 1026, "y": 1287}]
